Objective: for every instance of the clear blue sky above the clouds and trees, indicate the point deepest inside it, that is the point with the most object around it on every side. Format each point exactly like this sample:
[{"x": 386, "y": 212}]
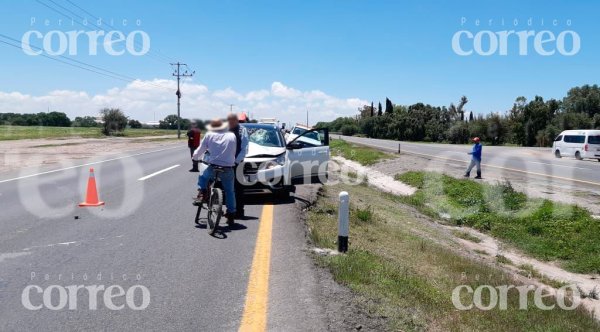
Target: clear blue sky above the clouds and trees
[{"x": 347, "y": 49}]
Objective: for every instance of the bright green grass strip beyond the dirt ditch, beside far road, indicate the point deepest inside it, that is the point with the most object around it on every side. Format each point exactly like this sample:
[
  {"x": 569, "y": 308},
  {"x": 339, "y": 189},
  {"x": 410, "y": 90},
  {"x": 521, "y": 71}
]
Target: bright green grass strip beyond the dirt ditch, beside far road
[{"x": 541, "y": 228}]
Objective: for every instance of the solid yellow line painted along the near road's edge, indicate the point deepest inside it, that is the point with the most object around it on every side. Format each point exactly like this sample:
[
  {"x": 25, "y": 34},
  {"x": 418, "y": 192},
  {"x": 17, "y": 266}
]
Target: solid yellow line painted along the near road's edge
[{"x": 257, "y": 294}]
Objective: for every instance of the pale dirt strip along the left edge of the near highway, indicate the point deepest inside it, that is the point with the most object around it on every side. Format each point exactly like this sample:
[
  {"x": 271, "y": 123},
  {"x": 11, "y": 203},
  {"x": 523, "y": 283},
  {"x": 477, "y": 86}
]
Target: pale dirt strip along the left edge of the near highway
[{"x": 21, "y": 154}]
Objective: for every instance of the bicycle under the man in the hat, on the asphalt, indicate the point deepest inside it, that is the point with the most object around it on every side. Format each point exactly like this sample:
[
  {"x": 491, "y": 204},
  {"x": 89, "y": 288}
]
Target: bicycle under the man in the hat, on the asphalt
[{"x": 214, "y": 204}]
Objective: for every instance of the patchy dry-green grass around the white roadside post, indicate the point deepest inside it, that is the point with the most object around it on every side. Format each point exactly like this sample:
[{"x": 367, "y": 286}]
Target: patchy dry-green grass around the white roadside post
[{"x": 407, "y": 277}]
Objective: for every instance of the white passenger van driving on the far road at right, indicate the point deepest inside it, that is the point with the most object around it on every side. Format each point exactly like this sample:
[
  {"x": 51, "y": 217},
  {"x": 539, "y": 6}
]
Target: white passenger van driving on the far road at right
[{"x": 577, "y": 143}]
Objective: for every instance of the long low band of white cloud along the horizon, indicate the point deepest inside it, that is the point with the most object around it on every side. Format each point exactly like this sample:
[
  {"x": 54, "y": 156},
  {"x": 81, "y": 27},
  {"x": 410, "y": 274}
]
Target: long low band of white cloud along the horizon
[{"x": 144, "y": 100}]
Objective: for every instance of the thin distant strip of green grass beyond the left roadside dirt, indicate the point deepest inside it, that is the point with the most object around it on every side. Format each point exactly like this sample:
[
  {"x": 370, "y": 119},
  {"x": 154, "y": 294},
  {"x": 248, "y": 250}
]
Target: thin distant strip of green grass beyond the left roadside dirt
[{"x": 24, "y": 132}]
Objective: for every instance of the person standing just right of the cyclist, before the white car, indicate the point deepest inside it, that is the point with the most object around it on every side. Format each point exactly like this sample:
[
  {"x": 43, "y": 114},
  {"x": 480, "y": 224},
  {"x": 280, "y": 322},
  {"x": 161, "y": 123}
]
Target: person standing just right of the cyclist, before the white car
[{"x": 241, "y": 140}]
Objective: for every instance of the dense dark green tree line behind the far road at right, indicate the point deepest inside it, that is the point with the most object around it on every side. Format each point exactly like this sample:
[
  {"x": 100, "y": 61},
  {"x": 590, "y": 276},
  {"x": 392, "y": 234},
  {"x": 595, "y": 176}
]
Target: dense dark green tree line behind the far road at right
[{"x": 533, "y": 122}]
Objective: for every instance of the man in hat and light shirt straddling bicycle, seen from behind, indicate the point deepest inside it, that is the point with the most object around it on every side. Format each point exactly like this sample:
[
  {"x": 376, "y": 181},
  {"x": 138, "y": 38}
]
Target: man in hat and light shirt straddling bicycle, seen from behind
[{"x": 220, "y": 144}]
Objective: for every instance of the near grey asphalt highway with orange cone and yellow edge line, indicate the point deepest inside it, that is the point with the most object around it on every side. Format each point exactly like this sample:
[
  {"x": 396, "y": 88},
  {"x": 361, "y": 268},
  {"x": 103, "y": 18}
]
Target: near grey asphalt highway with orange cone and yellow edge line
[{"x": 253, "y": 275}]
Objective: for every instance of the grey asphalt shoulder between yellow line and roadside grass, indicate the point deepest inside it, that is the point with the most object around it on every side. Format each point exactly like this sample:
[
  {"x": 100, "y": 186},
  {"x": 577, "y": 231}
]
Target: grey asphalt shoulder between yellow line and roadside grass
[{"x": 304, "y": 296}]
